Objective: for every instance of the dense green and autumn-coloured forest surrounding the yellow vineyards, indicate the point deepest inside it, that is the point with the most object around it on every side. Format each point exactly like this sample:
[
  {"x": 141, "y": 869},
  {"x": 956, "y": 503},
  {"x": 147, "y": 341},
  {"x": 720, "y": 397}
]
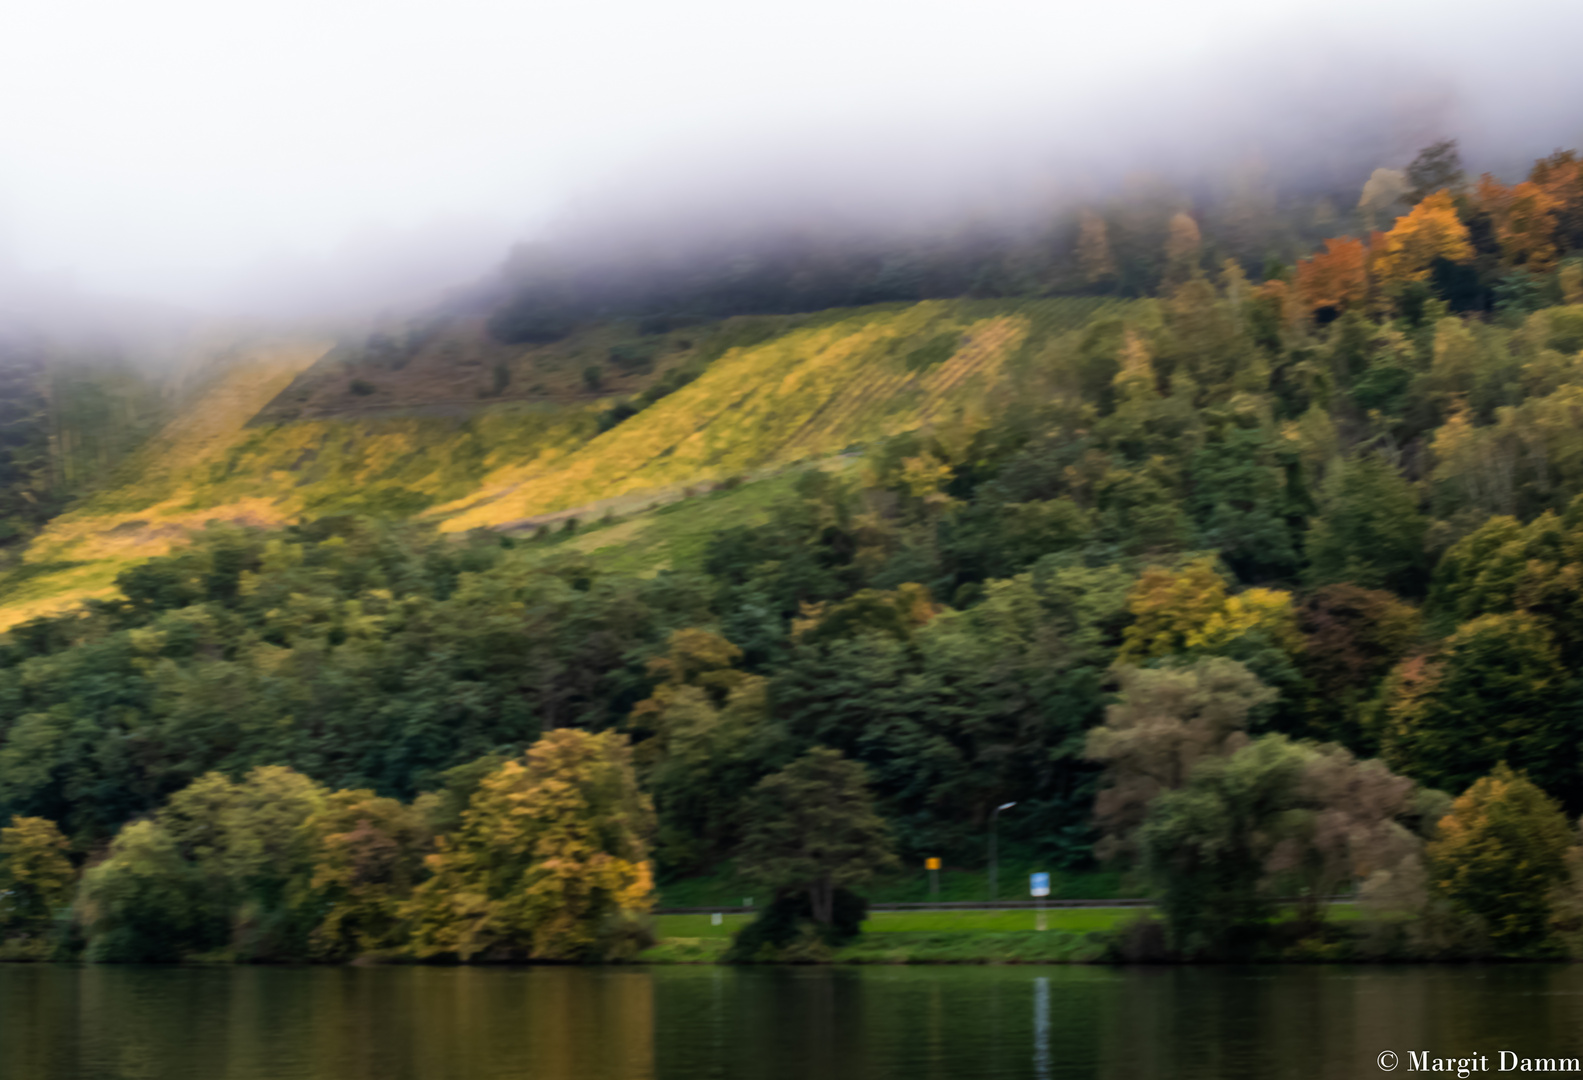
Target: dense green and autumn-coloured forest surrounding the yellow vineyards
[{"x": 1288, "y": 558}]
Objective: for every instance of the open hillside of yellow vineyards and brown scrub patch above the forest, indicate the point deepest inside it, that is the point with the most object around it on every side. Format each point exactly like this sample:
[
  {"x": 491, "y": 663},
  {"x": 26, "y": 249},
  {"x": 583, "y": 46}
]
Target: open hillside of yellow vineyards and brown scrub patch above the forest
[{"x": 284, "y": 432}]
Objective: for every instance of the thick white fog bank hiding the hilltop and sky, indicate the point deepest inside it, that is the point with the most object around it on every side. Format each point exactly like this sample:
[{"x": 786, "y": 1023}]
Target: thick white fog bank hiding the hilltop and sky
[{"x": 308, "y": 158}]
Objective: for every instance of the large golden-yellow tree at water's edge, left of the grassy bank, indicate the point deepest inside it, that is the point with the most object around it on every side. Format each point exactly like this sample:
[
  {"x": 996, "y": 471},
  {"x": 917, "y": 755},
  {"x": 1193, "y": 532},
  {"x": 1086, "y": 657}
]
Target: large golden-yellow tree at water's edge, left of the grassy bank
[{"x": 550, "y": 864}]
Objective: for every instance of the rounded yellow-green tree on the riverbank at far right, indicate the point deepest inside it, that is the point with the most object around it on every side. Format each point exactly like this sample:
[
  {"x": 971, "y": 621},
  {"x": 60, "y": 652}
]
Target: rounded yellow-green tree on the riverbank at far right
[{"x": 1498, "y": 856}]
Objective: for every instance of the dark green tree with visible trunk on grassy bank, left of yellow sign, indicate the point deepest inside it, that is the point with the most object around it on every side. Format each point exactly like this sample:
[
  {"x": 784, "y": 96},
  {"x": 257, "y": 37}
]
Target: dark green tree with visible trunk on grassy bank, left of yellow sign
[{"x": 813, "y": 827}]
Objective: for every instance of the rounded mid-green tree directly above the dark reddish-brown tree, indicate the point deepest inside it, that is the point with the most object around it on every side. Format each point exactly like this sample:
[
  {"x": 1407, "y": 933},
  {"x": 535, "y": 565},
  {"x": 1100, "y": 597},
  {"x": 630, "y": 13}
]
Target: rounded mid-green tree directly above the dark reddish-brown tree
[{"x": 1370, "y": 530}]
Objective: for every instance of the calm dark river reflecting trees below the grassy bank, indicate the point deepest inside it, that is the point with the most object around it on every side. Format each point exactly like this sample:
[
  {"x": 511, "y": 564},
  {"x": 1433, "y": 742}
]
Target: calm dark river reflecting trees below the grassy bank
[{"x": 827, "y": 1024}]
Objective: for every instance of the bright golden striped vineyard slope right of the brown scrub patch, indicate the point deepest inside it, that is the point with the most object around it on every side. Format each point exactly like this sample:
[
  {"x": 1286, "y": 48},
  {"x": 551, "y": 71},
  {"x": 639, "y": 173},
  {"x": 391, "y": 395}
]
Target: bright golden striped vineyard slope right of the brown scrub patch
[{"x": 837, "y": 382}]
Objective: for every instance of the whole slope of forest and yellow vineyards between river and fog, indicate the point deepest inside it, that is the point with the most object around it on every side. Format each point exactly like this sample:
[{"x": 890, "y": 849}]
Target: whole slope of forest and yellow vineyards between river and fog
[{"x": 1234, "y": 588}]
